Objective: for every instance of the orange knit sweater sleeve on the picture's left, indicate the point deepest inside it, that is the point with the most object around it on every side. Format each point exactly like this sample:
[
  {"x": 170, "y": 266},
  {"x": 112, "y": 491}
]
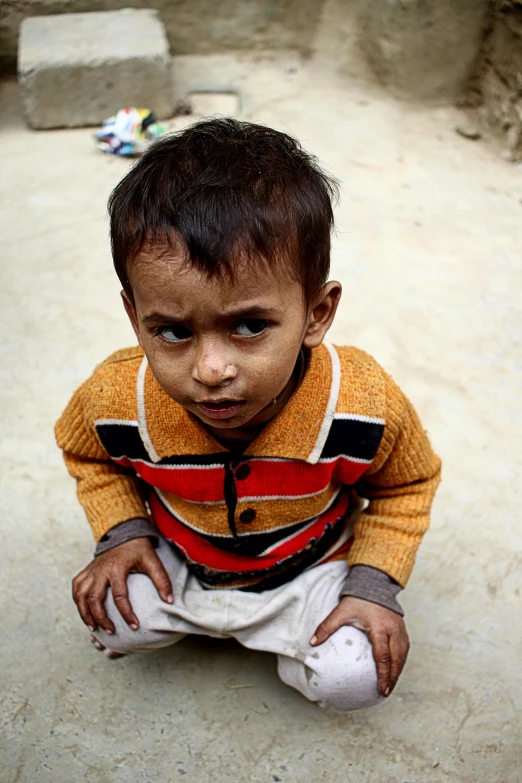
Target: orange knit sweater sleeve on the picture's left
[{"x": 109, "y": 493}]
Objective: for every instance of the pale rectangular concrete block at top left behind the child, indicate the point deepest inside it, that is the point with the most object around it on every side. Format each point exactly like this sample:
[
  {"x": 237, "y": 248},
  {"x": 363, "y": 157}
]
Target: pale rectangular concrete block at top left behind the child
[{"x": 78, "y": 69}]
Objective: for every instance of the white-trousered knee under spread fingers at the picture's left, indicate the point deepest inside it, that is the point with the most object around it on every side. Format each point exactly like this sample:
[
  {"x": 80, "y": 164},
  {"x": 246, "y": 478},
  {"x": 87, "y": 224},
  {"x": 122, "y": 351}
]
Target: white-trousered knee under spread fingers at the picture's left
[{"x": 145, "y": 602}]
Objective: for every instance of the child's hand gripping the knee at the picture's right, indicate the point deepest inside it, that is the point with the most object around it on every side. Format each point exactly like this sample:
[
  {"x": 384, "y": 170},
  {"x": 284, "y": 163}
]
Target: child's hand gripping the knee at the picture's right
[{"x": 385, "y": 629}]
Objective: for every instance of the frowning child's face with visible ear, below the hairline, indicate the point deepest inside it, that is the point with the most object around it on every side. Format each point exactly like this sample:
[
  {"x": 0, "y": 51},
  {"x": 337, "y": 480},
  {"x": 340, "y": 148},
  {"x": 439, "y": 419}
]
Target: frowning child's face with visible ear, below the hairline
[{"x": 223, "y": 350}]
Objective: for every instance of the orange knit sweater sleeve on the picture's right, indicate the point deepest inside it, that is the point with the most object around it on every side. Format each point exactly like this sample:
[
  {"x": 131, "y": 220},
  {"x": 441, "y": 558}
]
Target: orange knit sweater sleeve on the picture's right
[{"x": 400, "y": 485}]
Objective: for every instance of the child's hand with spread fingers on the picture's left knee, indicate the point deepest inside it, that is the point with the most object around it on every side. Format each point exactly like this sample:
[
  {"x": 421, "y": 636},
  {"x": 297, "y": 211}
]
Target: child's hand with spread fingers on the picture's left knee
[{"x": 111, "y": 570}]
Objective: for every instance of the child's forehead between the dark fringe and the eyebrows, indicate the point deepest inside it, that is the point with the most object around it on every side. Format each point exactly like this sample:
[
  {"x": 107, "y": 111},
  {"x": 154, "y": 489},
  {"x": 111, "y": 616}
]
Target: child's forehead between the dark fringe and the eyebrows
[{"x": 169, "y": 282}]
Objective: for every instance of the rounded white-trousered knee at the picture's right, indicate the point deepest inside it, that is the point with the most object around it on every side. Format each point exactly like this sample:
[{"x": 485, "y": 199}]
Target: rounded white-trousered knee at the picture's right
[{"x": 343, "y": 676}]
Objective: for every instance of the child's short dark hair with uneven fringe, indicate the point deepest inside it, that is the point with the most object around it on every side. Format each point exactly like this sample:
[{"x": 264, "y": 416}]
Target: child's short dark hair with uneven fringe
[{"x": 227, "y": 190}]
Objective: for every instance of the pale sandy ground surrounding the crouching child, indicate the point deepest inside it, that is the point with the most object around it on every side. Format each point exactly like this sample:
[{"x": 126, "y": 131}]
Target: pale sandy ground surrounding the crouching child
[{"x": 428, "y": 251}]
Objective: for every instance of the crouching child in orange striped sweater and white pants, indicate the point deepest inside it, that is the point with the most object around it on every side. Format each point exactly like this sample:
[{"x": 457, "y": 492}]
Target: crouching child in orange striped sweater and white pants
[{"x": 220, "y": 464}]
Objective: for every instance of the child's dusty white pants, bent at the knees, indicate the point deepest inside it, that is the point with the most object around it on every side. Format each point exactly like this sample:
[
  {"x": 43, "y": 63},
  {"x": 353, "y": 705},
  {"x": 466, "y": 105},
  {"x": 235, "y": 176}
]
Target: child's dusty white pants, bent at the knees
[{"x": 339, "y": 674}]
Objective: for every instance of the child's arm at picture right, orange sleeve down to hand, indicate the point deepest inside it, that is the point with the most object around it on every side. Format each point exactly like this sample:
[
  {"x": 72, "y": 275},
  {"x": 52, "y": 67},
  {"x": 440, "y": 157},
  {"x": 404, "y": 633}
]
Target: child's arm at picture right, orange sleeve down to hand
[{"x": 399, "y": 485}]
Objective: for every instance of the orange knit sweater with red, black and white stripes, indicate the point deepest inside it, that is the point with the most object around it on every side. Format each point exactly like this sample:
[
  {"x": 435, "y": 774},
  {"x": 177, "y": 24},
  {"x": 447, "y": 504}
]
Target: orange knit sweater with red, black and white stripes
[{"x": 347, "y": 430}]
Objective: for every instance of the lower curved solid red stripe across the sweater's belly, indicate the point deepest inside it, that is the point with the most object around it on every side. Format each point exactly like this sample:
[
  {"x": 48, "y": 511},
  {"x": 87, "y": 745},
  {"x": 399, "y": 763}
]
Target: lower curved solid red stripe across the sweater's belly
[{"x": 198, "y": 550}]
